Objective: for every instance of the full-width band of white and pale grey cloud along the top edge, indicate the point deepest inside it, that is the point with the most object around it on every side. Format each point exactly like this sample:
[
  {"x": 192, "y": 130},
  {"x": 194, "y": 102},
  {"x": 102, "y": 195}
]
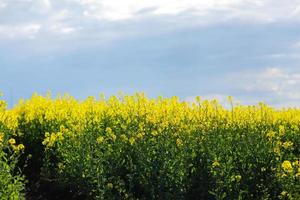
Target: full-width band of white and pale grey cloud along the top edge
[{"x": 100, "y": 15}]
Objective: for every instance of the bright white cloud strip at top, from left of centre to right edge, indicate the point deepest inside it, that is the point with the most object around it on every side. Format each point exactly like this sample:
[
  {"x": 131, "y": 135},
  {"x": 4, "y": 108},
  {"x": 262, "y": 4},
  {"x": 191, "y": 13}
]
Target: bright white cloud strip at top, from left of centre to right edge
[{"x": 257, "y": 10}]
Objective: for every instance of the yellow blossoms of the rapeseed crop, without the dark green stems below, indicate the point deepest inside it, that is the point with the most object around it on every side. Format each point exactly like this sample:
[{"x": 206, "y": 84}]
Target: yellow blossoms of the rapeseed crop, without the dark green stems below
[{"x": 134, "y": 120}]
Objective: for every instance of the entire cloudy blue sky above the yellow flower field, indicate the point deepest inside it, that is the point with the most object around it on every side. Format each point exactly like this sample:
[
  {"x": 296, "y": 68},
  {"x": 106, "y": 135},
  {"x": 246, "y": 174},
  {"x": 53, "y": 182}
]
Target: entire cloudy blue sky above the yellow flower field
[{"x": 249, "y": 49}]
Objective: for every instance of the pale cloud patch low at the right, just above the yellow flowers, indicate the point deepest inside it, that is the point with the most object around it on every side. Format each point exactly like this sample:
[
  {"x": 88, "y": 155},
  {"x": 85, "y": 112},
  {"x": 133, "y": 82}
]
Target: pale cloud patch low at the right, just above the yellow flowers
[{"x": 274, "y": 85}]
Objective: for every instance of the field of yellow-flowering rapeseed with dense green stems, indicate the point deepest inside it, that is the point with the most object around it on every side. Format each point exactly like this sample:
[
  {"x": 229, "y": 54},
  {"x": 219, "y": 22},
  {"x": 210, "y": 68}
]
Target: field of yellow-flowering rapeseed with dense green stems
[{"x": 133, "y": 147}]
